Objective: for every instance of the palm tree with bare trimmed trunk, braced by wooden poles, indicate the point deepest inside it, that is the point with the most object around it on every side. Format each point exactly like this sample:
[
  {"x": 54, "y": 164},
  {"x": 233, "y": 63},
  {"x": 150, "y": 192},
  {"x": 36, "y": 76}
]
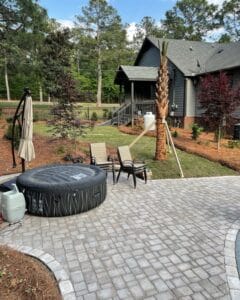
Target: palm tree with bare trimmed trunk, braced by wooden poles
[{"x": 162, "y": 104}]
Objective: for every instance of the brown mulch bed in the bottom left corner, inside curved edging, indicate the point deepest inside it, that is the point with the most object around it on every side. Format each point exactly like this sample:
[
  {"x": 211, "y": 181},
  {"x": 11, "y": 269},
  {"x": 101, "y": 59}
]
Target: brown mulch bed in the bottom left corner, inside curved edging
[{"x": 24, "y": 277}]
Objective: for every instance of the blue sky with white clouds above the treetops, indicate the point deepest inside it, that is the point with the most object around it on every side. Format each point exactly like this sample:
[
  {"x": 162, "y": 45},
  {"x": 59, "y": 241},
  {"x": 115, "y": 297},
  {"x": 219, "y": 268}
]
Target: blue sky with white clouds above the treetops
[{"x": 131, "y": 11}]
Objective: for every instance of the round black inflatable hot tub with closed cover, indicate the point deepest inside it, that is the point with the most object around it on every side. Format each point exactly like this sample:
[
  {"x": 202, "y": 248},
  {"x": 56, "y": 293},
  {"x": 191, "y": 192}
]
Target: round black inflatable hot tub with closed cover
[{"x": 62, "y": 190}]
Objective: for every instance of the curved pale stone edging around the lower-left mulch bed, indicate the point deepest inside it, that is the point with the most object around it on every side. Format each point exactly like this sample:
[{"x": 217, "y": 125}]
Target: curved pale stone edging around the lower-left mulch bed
[{"x": 64, "y": 283}]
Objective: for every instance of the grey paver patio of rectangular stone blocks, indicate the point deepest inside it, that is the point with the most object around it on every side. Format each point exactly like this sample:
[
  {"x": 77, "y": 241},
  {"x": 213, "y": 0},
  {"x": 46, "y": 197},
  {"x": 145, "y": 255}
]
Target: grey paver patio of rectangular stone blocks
[{"x": 164, "y": 240}]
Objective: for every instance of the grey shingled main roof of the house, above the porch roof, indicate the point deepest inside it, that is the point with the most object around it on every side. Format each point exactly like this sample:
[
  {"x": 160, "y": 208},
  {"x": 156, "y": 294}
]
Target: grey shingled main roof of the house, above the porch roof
[{"x": 193, "y": 58}]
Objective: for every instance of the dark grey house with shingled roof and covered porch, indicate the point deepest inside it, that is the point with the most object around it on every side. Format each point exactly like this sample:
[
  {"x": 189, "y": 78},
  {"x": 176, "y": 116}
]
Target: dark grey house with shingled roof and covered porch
[{"x": 187, "y": 61}]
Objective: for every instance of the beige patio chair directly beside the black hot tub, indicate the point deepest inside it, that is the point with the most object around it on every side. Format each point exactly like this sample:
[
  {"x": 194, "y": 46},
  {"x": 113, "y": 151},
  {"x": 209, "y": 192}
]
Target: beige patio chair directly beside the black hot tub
[{"x": 99, "y": 157}]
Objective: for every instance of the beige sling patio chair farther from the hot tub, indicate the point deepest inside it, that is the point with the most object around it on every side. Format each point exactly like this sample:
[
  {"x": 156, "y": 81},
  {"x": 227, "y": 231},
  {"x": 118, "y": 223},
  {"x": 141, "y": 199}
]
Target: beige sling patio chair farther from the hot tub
[{"x": 129, "y": 166}]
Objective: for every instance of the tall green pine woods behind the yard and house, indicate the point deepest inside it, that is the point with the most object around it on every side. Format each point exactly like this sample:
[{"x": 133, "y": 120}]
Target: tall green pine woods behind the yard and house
[{"x": 35, "y": 51}]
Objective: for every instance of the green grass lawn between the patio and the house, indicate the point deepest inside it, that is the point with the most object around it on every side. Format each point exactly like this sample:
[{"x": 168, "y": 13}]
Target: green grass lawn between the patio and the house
[{"x": 192, "y": 165}]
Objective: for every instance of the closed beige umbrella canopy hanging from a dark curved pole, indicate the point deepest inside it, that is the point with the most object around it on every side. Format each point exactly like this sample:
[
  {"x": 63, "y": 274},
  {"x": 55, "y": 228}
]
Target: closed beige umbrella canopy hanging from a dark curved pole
[{"x": 26, "y": 148}]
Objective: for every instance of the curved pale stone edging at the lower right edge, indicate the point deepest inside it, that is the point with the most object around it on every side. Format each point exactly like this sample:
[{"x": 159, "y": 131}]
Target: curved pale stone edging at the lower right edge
[{"x": 230, "y": 261}]
